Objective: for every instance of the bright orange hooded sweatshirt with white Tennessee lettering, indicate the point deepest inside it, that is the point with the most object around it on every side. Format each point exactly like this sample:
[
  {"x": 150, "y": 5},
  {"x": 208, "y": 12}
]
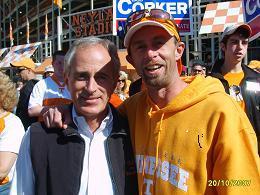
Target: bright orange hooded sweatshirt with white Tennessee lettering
[{"x": 200, "y": 143}]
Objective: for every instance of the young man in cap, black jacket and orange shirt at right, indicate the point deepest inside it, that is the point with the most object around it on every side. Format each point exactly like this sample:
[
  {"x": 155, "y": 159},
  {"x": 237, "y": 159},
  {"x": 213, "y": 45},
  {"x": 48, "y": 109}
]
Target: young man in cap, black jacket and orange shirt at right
[{"x": 240, "y": 81}]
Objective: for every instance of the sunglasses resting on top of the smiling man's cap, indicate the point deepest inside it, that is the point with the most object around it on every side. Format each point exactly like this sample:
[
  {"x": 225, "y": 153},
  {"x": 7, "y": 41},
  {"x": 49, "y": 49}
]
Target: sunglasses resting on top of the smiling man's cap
[{"x": 156, "y": 14}]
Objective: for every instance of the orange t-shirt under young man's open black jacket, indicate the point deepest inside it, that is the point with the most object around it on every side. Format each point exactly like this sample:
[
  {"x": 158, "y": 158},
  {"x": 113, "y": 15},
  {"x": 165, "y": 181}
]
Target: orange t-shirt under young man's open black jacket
[{"x": 234, "y": 81}]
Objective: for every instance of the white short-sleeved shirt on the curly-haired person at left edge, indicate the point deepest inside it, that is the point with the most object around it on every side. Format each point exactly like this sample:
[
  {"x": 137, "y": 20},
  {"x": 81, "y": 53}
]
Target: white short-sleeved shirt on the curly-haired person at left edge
[{"x": 11, "y": 137}]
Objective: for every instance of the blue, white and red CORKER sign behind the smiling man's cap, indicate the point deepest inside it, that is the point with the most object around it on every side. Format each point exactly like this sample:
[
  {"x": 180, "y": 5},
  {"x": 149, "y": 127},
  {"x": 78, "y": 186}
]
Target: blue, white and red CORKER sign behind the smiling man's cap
[{"x": 179, "y": 9}]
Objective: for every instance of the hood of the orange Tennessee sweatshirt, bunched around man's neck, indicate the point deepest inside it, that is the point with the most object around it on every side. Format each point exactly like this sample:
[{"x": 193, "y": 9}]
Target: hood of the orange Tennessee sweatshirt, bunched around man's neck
[{"x": 198, "y": 90}]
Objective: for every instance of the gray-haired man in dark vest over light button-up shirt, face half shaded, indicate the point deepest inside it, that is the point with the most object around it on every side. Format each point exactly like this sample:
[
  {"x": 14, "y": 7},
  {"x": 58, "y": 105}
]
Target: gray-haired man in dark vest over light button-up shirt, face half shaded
[{"x": 94, "y": 154}]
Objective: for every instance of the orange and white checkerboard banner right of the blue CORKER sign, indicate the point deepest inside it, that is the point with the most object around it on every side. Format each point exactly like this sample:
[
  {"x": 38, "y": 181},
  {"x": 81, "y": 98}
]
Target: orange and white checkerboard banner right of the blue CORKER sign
[{"x": 220, "y": 15}]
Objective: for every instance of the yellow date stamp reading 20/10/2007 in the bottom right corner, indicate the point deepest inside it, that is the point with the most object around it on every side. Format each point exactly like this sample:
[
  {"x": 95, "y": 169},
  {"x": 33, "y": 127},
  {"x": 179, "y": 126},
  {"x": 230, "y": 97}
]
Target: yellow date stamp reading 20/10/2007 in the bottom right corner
[{"x": 228, "y": 182}]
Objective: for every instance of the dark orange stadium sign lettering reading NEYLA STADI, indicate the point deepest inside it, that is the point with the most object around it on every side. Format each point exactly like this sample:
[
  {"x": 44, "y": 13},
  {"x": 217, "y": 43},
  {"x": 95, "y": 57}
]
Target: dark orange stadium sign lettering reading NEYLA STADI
[{"x": 92, "y": 23}]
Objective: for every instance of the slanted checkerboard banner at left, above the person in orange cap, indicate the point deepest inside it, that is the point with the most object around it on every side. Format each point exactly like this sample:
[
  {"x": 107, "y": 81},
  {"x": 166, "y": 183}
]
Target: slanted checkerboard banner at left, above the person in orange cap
[{"x": 18, "y": 52}]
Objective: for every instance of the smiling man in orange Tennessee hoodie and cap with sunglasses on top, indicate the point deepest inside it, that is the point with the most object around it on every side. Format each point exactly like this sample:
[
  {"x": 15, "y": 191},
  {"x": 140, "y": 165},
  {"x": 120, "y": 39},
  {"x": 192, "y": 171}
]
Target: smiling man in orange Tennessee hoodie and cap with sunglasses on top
[{"x": 175, "y": 155}]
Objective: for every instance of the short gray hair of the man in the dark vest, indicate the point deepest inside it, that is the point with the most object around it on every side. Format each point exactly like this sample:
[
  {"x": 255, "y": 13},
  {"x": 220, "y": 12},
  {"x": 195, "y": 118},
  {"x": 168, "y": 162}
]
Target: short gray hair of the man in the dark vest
[{"x": 90, "y": 41}]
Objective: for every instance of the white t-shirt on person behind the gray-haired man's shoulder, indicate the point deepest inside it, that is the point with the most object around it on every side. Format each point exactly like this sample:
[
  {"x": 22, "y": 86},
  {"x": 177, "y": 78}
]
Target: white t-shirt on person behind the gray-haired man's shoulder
[{"x": 47, "y": 93}]
